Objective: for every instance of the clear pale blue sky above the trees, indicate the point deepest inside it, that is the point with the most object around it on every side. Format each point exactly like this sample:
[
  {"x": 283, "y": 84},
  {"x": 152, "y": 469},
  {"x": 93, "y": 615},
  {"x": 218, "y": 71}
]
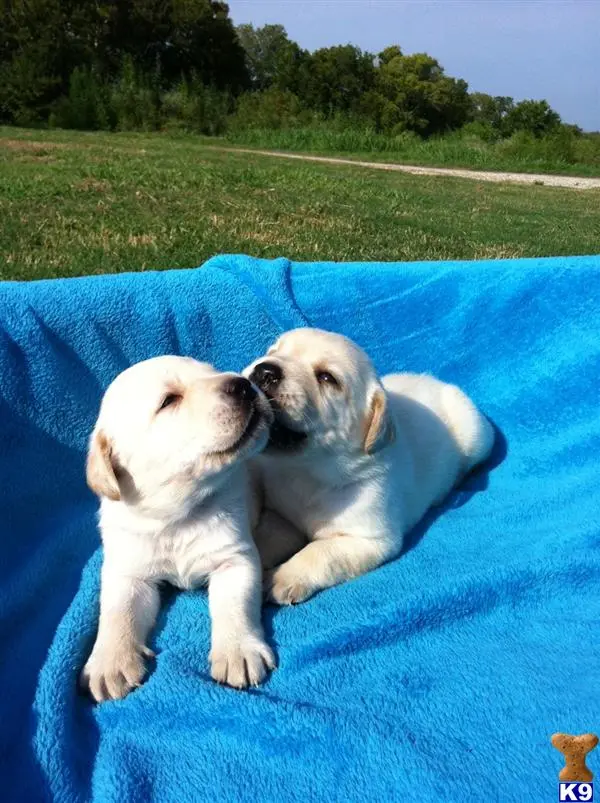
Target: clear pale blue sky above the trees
[{"x": 522, "y": 48}]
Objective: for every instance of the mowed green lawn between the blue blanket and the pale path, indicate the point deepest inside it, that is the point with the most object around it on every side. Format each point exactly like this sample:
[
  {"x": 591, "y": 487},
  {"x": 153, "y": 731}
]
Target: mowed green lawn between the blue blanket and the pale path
[{"x": 74, "y": 203}]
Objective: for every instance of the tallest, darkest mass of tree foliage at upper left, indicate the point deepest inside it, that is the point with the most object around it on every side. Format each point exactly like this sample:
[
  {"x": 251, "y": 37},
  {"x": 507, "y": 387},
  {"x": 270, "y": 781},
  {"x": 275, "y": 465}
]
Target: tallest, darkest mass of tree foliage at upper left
[{"x": 42, "y": 43}]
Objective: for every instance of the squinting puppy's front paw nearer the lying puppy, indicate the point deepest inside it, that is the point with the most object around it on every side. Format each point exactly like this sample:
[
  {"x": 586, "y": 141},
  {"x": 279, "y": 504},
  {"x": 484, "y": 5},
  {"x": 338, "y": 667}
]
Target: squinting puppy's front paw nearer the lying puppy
[{"x": 241, "y": 663}]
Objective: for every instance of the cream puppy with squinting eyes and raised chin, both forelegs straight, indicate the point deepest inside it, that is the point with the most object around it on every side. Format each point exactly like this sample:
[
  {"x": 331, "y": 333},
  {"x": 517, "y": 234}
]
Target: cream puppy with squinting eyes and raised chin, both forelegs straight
[{"x": 169, "y": 459}]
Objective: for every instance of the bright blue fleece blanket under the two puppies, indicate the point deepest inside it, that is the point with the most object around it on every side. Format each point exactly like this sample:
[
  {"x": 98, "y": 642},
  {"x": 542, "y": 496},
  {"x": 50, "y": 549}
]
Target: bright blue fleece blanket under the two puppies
[{"x": 439, "y": 677}]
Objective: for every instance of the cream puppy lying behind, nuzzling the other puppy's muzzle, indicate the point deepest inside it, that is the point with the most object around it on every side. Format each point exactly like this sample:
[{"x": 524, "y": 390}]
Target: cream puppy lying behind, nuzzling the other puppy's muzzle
[{"x": 353, "y": 462}]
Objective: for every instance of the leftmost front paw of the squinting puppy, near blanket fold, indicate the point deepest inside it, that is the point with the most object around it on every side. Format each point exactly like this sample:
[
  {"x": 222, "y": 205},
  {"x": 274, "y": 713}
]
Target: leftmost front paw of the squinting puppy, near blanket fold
[{"x": 112, "y": 672}]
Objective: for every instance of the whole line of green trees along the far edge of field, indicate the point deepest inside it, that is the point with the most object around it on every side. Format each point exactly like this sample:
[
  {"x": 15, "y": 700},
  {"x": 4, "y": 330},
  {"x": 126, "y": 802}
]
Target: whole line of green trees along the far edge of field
[{"x": 147, "y": 64}]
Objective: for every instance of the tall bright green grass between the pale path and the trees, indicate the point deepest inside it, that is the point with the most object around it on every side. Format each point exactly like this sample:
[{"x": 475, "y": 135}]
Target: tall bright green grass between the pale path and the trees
[{"x": 579, "y": 157}]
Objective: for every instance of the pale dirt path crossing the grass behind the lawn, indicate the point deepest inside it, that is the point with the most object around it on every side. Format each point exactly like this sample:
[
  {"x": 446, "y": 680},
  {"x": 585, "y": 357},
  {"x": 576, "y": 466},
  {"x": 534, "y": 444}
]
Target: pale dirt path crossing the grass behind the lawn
[{"x": 573, "y": 182}]
